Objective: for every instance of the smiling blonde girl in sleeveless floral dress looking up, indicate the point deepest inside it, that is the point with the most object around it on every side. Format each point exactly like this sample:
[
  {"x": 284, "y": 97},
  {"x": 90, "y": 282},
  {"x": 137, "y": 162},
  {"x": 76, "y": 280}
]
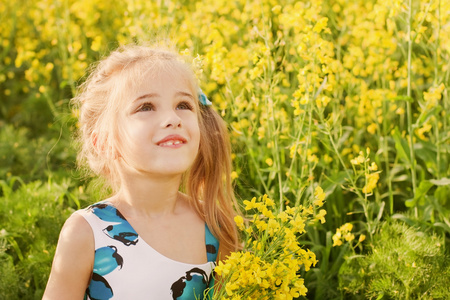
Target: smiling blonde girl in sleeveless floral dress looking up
[{"x": 147, "y": 128}]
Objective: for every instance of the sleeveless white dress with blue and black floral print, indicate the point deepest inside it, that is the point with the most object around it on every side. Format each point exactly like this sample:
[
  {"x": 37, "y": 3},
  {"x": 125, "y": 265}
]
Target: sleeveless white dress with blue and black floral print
[{"x": 126, "y": 267}]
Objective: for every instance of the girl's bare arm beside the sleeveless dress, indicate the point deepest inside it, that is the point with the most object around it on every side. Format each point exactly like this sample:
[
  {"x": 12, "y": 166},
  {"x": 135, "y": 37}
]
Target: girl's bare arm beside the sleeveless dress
[{"x": 73, "y": 261}]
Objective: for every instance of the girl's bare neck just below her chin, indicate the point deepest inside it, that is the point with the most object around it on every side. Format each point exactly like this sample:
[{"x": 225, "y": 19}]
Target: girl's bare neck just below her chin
[{"x": 150, "y": 198}]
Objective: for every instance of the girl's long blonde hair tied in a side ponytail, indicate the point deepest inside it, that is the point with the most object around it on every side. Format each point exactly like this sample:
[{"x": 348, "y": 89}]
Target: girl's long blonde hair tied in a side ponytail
[{"x": 99, "y": 100}]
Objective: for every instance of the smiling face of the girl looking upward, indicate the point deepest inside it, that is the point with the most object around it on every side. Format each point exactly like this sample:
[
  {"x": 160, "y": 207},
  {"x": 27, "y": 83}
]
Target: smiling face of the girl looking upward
[{"x": 159, "y": 131}]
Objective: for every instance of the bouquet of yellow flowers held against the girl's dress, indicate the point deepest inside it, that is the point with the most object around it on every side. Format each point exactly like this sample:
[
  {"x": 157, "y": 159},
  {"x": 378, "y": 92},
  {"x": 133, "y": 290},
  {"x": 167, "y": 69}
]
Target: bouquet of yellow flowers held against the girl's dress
[{"x": 268, "y": 265}]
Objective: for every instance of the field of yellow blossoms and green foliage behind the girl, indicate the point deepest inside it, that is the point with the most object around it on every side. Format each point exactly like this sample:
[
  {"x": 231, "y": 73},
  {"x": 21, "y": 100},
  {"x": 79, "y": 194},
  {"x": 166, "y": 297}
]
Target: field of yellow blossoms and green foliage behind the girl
[{"x": 337, "y": 108}]
